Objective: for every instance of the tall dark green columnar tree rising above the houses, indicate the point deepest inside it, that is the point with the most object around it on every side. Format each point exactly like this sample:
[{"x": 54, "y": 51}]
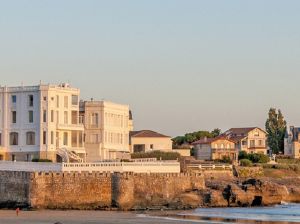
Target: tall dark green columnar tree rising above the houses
[{"x": 276, "y": 128}]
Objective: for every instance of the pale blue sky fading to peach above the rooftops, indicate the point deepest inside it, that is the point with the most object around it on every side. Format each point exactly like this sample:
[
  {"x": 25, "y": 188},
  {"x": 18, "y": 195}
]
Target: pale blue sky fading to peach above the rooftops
[{"x": 181, "y": 65}]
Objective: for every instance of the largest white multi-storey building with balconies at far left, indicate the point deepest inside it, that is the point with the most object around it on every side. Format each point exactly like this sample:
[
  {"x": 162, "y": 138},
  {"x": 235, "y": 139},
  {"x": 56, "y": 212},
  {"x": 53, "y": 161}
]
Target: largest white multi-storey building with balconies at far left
[{"x": 40, "y": 121}]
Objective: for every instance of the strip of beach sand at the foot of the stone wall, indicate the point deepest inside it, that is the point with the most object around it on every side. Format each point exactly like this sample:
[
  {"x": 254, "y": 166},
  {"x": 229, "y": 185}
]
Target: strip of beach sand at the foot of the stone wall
[{"x": 78, "y": 217}]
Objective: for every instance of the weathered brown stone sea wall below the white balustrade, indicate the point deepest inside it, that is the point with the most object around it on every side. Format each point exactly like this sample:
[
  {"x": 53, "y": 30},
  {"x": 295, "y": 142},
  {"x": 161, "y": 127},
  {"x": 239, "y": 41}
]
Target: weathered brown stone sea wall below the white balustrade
[{"x": 94, "y": 190}]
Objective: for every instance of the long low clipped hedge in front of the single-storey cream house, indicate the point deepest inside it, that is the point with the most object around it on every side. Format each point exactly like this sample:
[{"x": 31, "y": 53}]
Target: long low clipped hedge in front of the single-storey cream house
[{"x": 156, "y": 154}]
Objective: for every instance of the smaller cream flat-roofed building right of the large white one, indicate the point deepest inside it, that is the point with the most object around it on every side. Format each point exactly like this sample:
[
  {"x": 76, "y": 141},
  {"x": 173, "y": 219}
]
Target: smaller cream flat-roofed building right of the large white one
[{"x": 107, "y": 127}]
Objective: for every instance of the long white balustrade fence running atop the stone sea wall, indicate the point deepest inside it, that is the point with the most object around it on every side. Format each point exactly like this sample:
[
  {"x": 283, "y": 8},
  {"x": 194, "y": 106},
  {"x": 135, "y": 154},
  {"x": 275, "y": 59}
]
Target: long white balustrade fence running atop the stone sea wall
[{"x": 135, "y": 167}]
